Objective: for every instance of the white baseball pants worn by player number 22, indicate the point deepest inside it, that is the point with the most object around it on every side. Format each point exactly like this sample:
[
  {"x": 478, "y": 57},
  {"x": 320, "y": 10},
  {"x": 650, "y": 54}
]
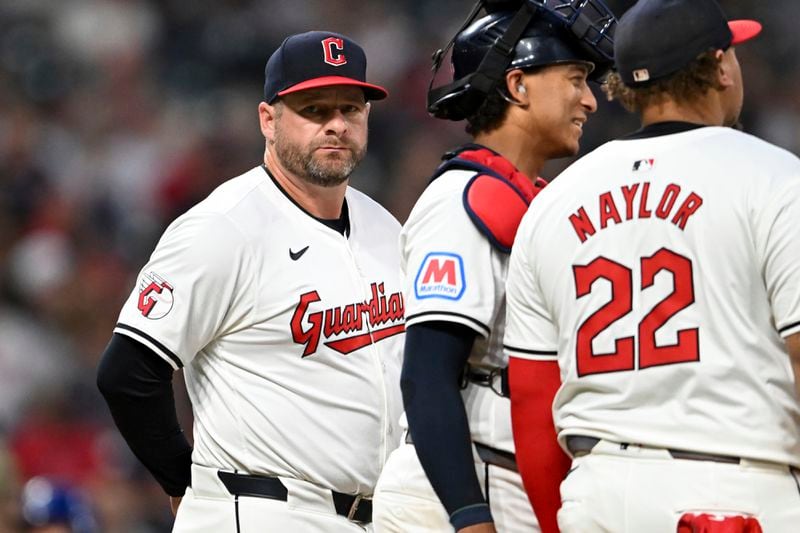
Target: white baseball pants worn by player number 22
[{"x": 619, "y": 488}]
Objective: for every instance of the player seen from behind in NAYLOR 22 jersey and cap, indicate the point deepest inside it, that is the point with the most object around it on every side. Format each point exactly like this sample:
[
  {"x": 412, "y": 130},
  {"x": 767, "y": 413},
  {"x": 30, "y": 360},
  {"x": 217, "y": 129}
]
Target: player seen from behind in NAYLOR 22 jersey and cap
[{"x": 656, "y": 288}]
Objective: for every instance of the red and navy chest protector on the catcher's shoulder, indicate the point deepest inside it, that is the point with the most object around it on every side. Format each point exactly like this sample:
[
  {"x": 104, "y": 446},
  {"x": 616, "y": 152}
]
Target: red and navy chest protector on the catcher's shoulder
[{"x": 495, "y": 198}]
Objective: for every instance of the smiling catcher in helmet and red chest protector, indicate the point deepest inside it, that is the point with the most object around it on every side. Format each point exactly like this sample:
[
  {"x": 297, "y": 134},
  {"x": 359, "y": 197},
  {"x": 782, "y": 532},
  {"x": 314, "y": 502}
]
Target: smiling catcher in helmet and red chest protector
[{"x": 456, "y": 469}]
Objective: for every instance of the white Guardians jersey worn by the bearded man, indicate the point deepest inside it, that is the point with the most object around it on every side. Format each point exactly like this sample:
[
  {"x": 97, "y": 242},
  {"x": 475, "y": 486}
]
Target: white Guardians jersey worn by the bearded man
[{"x": 290, "y": 333}]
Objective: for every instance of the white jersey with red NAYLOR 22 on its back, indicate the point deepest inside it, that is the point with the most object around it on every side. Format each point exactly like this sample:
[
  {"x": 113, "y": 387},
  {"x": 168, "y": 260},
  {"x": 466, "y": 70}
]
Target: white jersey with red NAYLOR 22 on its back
[{"x": 661, "y": 273}]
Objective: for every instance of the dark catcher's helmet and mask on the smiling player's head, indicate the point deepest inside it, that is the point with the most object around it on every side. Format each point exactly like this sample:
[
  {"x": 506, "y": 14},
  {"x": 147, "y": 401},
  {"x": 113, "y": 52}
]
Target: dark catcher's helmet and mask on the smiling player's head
[{"x": 519, "y": 34}]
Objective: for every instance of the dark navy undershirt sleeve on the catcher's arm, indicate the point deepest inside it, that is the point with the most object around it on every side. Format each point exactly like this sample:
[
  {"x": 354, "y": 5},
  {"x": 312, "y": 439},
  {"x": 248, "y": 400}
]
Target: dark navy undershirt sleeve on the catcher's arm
[{"x": 435, "y": 355}]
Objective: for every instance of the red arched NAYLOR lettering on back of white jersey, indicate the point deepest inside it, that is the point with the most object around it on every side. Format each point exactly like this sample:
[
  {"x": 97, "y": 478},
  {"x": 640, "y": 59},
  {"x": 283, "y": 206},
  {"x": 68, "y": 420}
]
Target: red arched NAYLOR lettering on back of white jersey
[{"x": 634, "y": 201}]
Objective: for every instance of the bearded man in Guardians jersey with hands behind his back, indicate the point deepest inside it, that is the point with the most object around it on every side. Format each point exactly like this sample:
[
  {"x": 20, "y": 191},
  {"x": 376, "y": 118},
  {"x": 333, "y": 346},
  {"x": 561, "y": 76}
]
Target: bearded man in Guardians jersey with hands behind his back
[{"x": 279, "y": 296}]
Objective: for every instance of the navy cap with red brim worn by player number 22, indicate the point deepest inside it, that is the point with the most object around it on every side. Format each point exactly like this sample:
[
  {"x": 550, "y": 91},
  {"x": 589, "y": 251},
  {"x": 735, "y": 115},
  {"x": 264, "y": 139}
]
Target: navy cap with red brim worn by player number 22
[{"x": 657, "y": 38}]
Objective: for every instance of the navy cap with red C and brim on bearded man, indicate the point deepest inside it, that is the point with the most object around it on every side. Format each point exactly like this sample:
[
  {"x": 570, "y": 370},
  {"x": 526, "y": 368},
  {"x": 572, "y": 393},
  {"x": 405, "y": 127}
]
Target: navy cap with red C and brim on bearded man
[{"x": 317, "y": 59}]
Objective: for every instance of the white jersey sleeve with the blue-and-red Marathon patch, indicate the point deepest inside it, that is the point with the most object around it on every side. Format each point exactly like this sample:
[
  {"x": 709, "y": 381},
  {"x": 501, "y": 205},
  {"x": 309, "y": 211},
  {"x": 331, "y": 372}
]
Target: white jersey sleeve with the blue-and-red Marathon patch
[{"x": 451, "y": 271}]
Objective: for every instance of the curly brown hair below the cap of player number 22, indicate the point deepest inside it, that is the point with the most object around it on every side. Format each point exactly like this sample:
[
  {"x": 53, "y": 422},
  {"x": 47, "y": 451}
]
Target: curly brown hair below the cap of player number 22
[{"x": 686, "y": 85}]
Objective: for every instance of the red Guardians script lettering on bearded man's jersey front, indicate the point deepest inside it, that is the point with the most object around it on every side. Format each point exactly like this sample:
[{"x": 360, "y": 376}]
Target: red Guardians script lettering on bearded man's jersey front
[{"x": 359, "y": 318}]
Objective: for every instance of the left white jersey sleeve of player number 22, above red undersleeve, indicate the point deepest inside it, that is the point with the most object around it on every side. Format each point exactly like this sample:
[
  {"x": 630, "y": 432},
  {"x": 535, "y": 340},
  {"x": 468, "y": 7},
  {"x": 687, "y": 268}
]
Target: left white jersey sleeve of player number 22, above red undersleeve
[{"x": 530, "y": 331}]
